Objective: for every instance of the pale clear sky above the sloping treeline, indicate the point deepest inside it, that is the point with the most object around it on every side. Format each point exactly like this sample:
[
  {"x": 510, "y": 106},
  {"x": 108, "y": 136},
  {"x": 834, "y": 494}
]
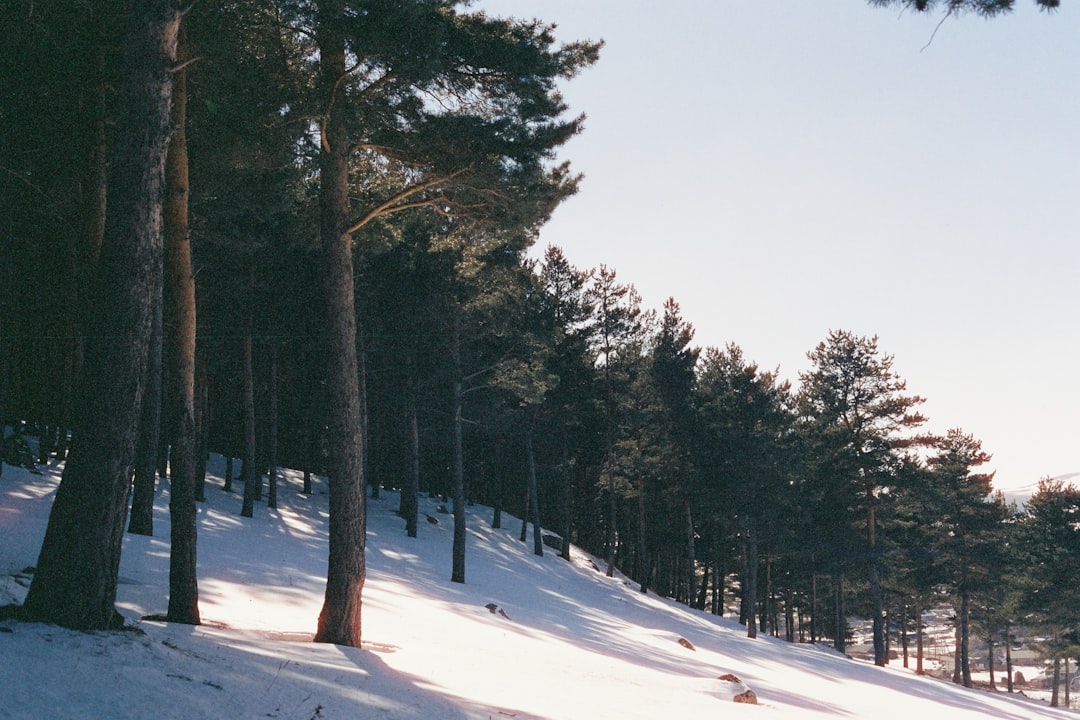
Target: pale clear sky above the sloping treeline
[{"x": 788, "y": 168}]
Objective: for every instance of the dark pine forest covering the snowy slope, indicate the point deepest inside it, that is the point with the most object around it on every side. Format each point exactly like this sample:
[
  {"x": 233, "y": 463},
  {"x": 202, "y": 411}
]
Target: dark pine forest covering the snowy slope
[{"x": 302, "y": 235}]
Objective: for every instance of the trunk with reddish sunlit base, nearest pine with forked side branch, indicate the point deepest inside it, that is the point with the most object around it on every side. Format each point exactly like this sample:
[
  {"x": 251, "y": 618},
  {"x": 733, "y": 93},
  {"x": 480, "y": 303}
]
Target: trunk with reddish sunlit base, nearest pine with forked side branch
[{"x": 340, "y": 621}]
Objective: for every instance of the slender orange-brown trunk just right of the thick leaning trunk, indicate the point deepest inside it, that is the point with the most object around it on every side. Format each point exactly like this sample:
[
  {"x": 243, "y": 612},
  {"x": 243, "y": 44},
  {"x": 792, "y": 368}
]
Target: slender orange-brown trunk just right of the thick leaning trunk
[{"x": 181, "y": 328}]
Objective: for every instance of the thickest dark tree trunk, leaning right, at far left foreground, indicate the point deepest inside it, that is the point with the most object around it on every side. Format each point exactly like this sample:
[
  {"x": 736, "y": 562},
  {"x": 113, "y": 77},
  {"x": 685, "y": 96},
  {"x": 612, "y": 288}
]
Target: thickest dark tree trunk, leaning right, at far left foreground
[{"x": 76, "y": 580}]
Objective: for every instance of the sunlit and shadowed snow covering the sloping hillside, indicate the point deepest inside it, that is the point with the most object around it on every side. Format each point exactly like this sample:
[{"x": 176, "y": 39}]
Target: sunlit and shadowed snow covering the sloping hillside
[{"x": 561, "y": 642}]
